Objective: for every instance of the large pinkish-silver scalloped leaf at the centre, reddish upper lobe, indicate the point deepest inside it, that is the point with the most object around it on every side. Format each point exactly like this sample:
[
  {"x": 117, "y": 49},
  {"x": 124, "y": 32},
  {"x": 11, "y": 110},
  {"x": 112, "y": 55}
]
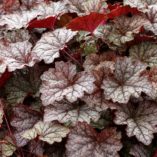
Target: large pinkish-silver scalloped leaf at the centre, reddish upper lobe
[{"x": 64, "y": 81}]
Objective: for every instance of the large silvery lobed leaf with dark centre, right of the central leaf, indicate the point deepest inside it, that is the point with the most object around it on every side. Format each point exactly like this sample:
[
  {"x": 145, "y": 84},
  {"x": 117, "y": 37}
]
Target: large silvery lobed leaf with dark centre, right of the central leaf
[{"x": 127, "y": 81}]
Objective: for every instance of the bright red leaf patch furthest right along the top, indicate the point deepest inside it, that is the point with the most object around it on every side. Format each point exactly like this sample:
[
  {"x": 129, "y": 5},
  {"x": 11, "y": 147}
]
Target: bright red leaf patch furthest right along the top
[{"x": 117, "y": 10}]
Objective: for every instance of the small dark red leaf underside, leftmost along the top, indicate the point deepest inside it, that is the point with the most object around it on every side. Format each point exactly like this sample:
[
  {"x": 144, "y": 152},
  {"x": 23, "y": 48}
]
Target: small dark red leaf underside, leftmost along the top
[{"x": 43, "y": 23}]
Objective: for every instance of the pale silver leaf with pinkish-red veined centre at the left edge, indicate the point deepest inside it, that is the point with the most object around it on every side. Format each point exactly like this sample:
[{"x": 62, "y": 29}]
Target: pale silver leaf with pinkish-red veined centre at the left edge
[{"x": 18, "y": 55}]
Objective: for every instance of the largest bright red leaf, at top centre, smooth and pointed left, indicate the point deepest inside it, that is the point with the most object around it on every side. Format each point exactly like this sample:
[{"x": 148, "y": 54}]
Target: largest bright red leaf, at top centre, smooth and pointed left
[{"x": 87, "y": 23}]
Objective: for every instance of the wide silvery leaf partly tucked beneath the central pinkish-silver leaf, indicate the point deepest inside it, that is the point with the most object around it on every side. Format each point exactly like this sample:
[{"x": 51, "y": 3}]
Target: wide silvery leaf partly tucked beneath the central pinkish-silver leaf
[{"x": 66, "y": 112}]
